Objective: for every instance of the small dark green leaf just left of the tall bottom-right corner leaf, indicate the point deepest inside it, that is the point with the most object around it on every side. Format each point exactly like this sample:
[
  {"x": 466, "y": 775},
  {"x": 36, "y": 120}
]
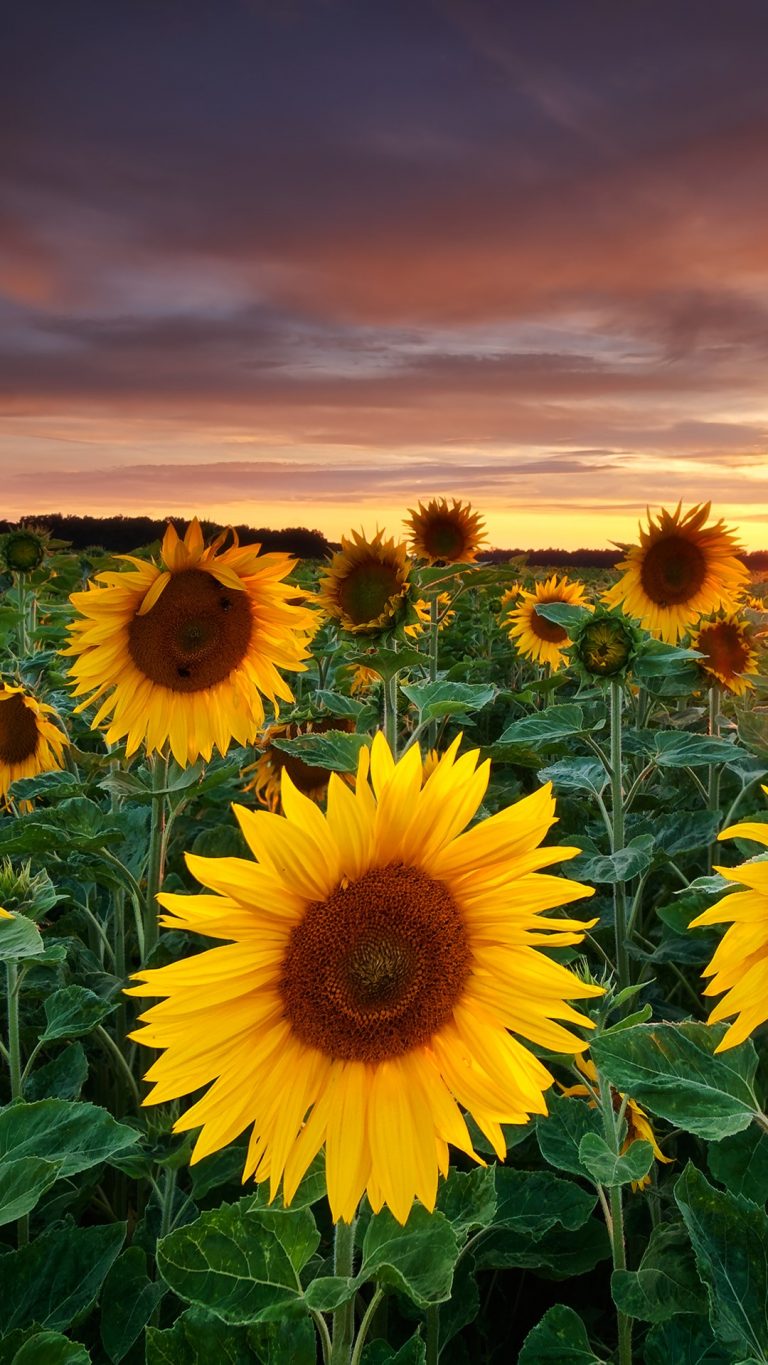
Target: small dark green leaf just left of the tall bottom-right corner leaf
[{"x": 666, "y": 1282}]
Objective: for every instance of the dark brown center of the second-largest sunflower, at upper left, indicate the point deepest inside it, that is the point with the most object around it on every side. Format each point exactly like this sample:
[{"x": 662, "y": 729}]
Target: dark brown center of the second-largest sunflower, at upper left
[{"x": 196, "y": 634}]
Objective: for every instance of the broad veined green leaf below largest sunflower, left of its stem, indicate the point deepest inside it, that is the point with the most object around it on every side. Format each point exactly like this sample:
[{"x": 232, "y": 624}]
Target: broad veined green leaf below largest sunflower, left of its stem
[{"x": 231, "y": 1262}]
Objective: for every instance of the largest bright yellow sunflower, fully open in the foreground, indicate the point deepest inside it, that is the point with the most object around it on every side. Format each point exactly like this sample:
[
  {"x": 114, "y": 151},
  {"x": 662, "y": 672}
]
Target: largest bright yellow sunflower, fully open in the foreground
[{"x": 381, "y": 964}]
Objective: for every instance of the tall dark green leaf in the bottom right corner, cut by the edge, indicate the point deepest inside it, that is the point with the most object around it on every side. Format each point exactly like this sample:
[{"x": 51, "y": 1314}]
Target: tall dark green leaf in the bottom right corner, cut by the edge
[{"x": 730, "y": 1243}]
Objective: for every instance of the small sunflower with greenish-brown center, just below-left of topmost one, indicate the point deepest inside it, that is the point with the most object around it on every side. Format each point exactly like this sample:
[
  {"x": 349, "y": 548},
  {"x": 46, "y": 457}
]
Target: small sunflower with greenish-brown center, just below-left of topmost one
[{"x": 366, "y": 586}]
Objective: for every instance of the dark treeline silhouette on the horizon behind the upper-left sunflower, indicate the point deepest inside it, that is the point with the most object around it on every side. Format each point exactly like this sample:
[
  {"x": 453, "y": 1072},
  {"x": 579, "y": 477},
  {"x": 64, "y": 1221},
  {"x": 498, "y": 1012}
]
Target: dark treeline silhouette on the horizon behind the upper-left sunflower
[{"x": 123, "y": 534}]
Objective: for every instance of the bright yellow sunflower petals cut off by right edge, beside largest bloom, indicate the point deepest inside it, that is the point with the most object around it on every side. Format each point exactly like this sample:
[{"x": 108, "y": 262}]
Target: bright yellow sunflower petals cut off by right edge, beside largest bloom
[{"x": 740, "y": 964}]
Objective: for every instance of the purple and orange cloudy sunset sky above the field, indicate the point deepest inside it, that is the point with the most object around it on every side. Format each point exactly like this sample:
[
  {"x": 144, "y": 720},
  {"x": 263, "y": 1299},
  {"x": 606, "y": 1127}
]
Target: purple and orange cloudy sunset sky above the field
[{"x": 306, "y": 263}]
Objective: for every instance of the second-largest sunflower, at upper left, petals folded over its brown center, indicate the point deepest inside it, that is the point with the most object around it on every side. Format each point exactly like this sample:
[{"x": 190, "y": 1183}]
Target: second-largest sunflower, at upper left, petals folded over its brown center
[{"x": 183, "y": 653}]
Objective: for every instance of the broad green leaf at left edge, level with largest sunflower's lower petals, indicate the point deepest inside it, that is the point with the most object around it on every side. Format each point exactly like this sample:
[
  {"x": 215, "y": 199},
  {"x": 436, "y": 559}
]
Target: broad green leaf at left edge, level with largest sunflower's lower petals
[{"x": 77, "y": 1136}]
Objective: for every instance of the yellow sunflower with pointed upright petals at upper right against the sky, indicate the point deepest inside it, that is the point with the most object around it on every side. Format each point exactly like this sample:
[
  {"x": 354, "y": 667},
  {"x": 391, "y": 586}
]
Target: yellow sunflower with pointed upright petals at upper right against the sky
[{"x": 681, "y": 570}]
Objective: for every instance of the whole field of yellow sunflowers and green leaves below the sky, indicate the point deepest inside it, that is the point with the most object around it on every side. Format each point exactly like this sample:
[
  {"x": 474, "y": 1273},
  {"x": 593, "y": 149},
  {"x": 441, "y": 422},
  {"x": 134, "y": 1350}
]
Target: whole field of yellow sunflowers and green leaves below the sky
[{"x": 384, "y": 952}]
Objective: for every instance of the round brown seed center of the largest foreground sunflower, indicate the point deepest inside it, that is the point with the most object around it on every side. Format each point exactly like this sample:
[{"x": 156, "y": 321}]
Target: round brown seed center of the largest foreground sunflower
[{"x": 377, "y": 968}]
